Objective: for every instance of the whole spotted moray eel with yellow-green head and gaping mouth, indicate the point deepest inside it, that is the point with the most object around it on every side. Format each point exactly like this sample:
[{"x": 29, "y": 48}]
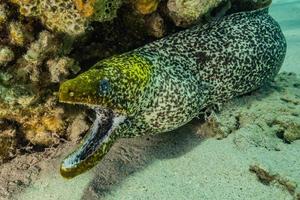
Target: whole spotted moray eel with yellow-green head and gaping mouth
[{"x": 165, "y": 84}]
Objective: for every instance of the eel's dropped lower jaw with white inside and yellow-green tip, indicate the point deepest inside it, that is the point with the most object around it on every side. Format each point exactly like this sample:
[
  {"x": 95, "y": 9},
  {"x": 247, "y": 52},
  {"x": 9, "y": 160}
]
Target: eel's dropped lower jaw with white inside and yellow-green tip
[{"x": 95, "y": 144}]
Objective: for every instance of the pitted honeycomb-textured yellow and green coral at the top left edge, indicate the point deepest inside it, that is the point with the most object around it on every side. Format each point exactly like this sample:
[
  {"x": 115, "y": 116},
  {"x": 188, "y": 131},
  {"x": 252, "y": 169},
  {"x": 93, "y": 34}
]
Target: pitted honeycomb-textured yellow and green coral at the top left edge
[{"x": 69, "y": 16}]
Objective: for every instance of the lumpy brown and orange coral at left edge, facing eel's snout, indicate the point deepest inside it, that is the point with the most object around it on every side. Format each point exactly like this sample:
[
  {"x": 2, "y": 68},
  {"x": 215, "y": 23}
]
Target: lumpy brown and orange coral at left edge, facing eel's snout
[{"x": 30, "y": 62}]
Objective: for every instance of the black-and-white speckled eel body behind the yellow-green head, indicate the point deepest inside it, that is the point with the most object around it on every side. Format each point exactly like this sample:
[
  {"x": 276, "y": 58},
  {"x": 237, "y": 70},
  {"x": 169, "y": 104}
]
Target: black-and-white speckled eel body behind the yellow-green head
[{"x": 206, "y": 65}]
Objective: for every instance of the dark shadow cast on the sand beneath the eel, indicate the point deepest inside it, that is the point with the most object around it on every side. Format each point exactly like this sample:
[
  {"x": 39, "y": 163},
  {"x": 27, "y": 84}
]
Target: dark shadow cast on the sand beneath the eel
[{"x": 131, "y": 155}]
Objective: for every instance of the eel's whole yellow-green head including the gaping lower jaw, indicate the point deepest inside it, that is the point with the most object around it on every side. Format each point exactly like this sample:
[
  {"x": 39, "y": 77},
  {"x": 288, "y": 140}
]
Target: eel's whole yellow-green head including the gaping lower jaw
[{"x": 112, "y": 87}]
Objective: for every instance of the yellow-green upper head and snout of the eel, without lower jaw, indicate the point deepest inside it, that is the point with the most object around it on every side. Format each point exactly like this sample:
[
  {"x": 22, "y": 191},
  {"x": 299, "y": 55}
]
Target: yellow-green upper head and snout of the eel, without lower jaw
[{"x": 113, "y": 83}]
